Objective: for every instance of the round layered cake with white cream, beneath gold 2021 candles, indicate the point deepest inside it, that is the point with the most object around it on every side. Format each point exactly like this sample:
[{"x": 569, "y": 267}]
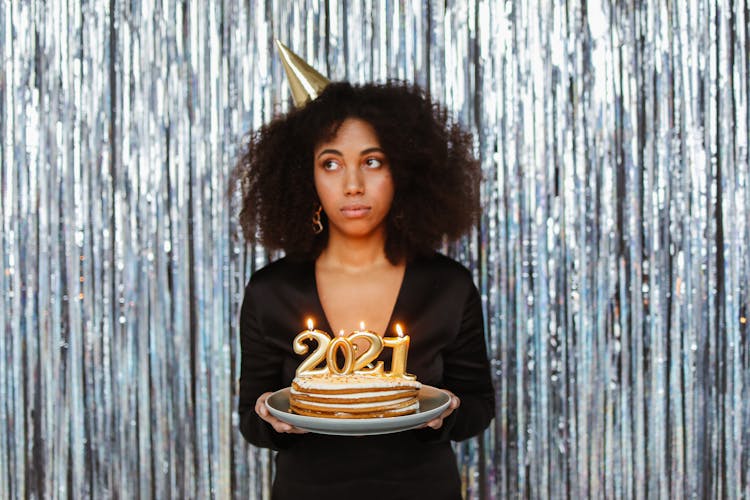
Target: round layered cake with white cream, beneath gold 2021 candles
[{"x": 353, "y": 395}]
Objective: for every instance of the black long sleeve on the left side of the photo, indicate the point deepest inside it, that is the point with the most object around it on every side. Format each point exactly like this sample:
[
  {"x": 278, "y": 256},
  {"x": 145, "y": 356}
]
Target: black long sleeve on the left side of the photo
[{"x": 260, "y": 372}]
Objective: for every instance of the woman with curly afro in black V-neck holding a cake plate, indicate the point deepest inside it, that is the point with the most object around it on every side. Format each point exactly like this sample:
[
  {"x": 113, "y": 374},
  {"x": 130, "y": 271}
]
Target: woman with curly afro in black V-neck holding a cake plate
[{"x": 358, "y": 188}]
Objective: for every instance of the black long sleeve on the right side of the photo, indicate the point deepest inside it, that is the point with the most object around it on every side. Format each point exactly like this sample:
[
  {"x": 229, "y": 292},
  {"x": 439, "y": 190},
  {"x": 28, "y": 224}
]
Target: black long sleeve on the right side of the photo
[{"x": 466, "y": 373}]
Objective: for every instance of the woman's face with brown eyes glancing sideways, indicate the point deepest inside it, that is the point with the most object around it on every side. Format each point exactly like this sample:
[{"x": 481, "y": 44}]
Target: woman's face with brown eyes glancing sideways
[{"x": 353, "y": 180}]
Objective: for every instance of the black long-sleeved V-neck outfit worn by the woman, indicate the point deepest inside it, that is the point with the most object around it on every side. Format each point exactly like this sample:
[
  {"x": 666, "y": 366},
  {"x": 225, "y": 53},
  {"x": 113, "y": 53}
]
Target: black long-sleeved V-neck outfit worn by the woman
[{"x": 440, "y": 309}]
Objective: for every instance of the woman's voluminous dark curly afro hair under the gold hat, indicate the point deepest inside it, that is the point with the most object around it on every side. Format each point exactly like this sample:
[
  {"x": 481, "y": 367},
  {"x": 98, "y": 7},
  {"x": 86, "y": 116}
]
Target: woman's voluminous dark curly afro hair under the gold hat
[{"x": 436, "y": 176}]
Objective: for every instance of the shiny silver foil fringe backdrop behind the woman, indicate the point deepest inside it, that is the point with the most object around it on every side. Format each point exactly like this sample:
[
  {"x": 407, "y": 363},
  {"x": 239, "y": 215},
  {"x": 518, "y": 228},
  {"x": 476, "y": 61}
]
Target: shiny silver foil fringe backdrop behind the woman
[{"x": 612, "y": 256}]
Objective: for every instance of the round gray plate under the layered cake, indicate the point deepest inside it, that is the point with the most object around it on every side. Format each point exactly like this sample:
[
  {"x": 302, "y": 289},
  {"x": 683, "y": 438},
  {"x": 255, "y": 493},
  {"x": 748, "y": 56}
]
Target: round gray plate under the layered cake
[{"x": 432, "y": 402}]
